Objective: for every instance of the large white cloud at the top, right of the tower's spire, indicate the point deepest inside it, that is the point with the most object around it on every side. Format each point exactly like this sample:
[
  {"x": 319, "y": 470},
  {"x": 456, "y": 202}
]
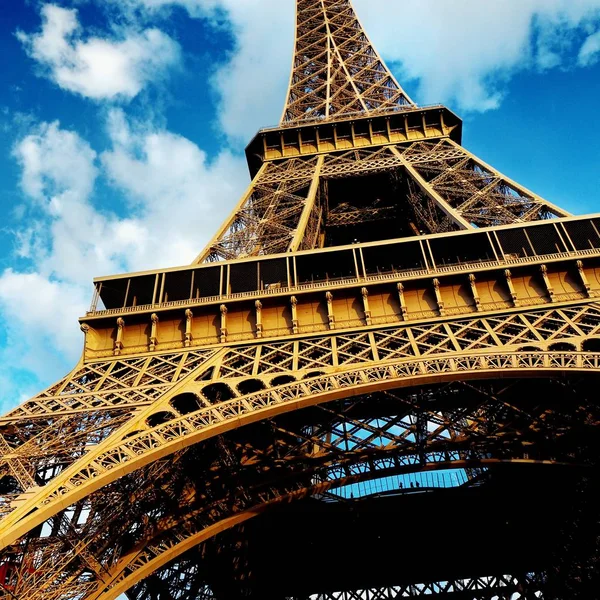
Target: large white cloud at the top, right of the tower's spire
[{"x": 464, "y": 52}]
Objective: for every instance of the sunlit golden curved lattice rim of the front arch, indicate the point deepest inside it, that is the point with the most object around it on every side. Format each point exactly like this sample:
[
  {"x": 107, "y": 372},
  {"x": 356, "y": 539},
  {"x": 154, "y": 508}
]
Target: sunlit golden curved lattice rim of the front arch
[{"x": 101, "y": 468}]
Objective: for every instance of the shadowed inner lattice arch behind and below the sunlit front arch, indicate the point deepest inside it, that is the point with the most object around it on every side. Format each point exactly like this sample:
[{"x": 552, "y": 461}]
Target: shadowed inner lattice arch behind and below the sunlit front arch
[{"x": 337, "y": 465}]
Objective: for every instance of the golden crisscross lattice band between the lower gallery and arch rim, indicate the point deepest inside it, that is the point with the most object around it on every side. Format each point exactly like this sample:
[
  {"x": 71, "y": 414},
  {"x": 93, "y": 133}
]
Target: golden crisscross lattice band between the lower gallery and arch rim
[{"x": 327, "y": 354}]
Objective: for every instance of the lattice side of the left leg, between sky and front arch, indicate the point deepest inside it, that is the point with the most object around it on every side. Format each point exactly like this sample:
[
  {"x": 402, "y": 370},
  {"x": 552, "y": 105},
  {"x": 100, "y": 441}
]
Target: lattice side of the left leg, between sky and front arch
[{"x": 43, "y": 436}]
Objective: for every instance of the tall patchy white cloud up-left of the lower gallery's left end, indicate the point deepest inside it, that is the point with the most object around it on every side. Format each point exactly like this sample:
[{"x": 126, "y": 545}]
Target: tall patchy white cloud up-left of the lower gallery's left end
[{"x": 58, "y": 176}]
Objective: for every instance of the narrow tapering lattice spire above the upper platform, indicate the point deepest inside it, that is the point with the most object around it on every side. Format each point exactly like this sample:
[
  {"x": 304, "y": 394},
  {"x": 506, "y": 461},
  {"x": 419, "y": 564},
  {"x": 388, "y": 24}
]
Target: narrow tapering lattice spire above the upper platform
[{"x": 336, "y": 71}]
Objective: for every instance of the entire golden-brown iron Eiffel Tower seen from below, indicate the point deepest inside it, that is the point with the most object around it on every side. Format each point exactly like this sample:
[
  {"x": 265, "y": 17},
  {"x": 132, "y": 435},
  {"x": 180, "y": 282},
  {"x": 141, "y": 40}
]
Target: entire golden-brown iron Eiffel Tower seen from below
[{"x": 378, "y": 379}]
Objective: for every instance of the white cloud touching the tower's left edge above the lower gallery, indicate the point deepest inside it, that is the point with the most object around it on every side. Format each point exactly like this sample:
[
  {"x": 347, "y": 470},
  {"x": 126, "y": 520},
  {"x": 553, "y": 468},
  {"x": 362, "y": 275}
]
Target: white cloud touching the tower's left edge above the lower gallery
[{"x": 181, "y": 197}]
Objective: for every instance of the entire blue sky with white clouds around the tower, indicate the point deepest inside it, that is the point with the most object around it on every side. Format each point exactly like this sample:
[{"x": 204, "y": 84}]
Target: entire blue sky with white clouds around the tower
[{"x": 124, "y": 121}]
